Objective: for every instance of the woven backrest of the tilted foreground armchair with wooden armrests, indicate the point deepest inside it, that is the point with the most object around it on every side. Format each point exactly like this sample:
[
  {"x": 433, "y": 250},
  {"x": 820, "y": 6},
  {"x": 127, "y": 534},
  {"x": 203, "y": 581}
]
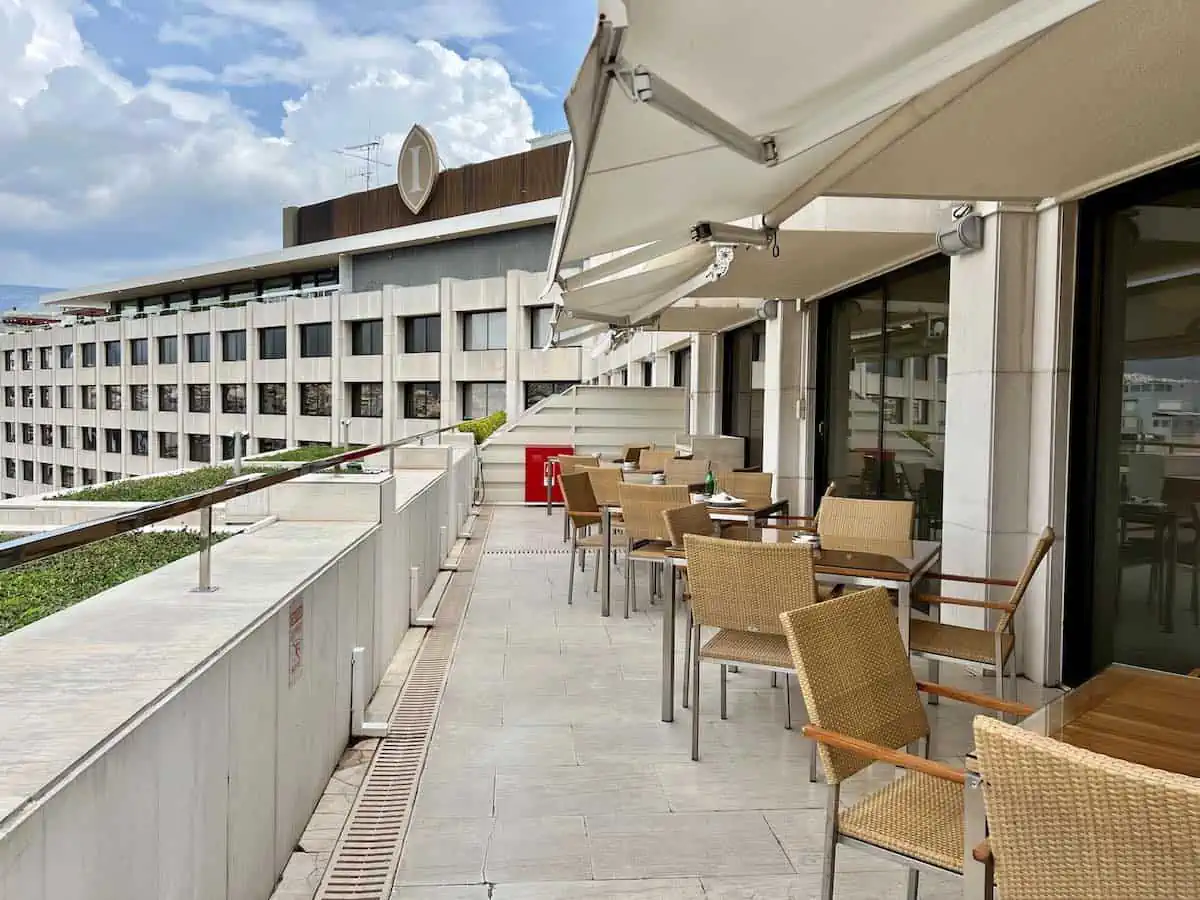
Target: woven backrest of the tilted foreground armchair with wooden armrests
[{"x": 855, "y": 676}]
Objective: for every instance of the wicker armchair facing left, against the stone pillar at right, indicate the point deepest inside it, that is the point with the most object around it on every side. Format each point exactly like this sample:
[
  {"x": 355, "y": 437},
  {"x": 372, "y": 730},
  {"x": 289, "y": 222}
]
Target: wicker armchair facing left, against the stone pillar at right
[{"x": 993, "y": 650}]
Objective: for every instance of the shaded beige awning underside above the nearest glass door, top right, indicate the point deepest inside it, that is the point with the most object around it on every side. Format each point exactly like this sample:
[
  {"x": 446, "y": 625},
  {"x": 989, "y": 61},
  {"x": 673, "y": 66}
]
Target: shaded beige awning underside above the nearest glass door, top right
[{"x": 1095, "y": 101}]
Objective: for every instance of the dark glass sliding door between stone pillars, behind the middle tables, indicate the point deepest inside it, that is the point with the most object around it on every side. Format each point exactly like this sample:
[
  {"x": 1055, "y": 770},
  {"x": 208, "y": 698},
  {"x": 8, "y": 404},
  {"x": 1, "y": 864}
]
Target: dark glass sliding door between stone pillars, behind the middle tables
[{"x": 881, "y": 406}]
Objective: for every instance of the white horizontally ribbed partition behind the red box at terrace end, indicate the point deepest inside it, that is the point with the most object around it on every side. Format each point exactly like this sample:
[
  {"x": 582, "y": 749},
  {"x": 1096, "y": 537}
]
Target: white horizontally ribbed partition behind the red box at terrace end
[{"x": 591, "y": 419}]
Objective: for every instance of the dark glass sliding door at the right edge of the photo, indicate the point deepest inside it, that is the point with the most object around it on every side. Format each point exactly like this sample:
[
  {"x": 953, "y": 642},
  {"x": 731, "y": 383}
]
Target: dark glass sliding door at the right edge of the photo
[{"x": 1135, "y": 502}]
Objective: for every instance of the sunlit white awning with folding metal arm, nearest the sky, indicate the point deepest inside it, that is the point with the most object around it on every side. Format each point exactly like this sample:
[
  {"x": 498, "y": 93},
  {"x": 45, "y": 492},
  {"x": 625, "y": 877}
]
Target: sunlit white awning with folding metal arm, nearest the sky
[{"x": 688, "y": 112}]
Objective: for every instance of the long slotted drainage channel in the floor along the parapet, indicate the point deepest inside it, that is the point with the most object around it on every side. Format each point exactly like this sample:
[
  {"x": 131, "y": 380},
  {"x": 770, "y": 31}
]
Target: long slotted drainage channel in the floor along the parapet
[{"x": 365, "y": 859}]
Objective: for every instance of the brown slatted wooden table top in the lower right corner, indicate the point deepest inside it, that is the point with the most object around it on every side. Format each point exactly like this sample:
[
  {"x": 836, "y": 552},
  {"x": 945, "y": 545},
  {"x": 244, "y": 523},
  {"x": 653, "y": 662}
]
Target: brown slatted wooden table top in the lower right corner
[{"x": 1135, "y": 715}]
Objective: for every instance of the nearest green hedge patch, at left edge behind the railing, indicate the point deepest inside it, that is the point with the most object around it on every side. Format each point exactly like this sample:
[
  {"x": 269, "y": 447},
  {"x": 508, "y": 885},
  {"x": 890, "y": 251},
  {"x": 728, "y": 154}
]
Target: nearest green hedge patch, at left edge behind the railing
[{"x": 34, "y": 591}]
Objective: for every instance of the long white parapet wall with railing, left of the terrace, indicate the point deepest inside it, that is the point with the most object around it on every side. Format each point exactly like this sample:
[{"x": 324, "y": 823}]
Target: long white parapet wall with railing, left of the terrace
[{"x": 158, "y": 743}]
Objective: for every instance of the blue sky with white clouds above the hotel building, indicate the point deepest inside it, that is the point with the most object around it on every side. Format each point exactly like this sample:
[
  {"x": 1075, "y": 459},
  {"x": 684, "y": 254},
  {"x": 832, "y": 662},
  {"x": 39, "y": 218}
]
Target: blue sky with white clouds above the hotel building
[{"x": 140, "y": 136}]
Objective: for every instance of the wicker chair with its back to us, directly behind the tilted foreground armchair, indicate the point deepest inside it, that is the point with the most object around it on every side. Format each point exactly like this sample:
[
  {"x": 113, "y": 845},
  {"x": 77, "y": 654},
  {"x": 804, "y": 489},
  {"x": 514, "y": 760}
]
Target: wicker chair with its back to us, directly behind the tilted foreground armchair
[{"x": 742, "y": 589}]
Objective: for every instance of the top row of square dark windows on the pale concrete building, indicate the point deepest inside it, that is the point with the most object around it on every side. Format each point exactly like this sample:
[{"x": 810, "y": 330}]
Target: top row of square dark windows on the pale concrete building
[{"x": 423, "y": 334}]
